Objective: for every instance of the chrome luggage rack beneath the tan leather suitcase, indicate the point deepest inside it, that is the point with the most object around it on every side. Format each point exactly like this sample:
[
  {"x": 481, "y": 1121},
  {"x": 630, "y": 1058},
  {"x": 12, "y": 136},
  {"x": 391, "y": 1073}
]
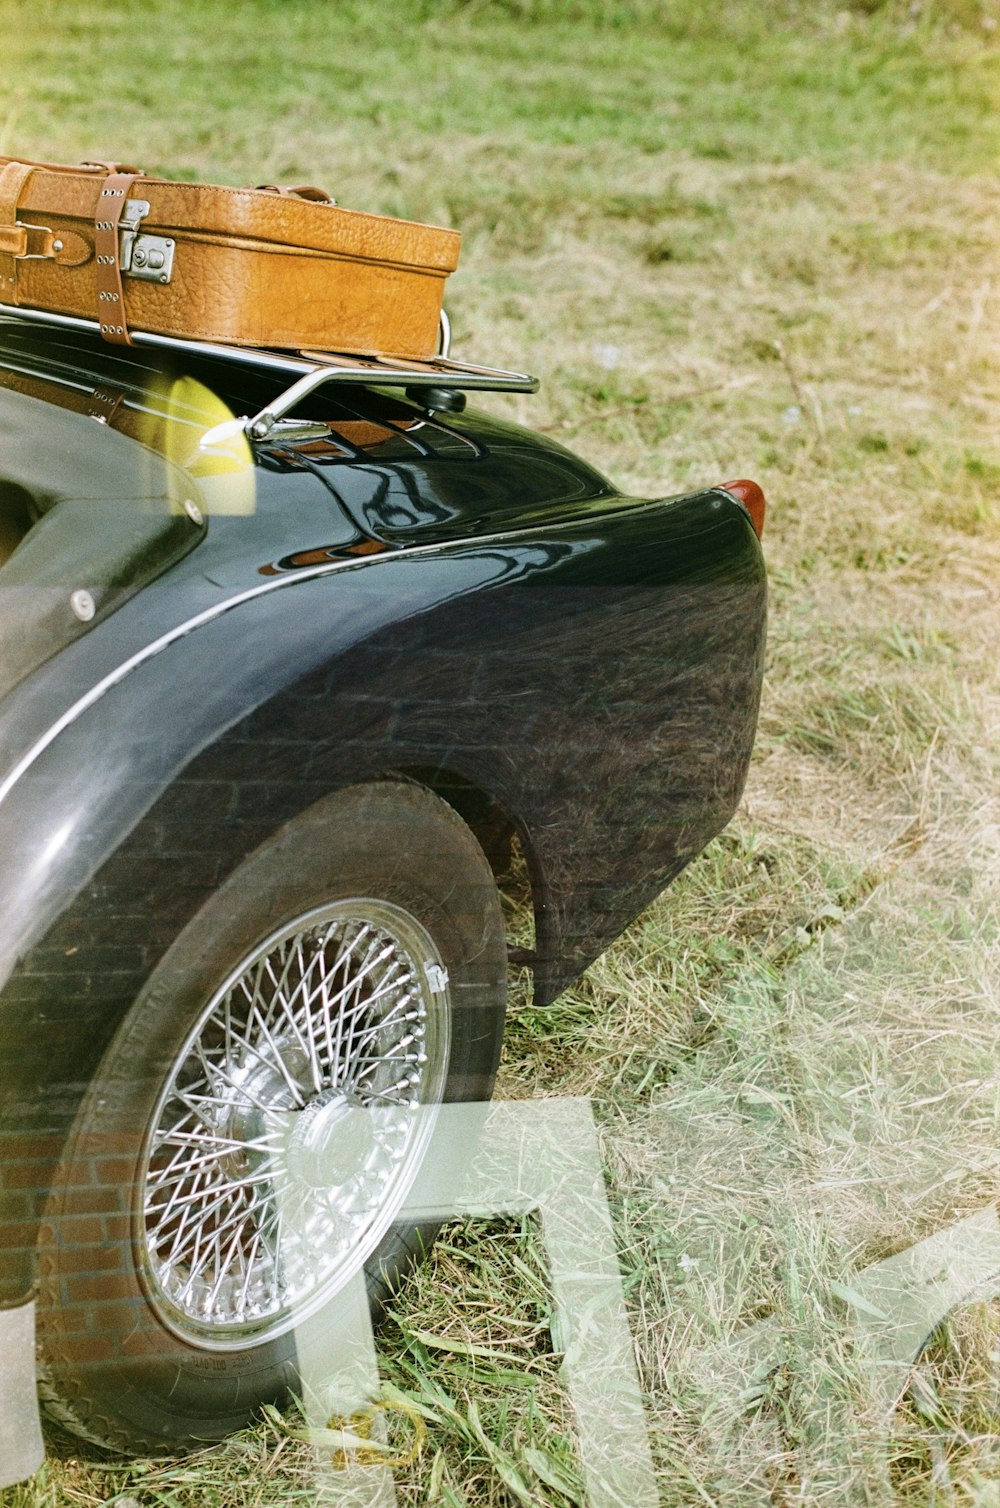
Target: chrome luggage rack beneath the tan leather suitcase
[{"x": 438, "y": 382}]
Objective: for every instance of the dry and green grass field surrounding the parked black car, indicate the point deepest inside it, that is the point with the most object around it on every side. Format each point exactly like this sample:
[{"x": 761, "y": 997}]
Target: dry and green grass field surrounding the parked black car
[{"x": 734, "y": 241}]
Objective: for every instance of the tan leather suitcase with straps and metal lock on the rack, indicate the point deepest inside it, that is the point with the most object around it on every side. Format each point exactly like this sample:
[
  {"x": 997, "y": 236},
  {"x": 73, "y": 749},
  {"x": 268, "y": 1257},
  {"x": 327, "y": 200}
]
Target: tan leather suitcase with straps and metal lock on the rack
[{"x": 269, "y": 268}]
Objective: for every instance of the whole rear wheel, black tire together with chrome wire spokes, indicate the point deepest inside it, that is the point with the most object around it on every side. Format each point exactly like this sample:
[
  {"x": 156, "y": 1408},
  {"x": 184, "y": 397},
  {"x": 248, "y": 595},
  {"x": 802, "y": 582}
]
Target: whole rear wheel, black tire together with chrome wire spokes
[{"x": 247, "y": 1145}]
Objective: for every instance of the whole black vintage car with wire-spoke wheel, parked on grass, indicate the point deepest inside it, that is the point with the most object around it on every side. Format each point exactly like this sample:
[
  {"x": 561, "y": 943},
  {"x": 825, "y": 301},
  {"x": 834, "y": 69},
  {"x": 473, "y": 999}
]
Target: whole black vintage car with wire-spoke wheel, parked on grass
[{"x": 295, "y": 651}]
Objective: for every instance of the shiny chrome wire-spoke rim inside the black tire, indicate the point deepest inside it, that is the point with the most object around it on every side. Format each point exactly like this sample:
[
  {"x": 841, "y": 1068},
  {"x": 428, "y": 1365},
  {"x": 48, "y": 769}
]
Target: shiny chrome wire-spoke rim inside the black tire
[{"x": 286, "y": 1136}]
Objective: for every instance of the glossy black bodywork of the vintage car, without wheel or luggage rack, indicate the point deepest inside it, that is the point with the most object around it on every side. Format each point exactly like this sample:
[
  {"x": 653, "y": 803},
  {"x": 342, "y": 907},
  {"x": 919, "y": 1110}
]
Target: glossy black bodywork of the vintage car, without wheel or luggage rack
[{"x": 450, "y": 601}]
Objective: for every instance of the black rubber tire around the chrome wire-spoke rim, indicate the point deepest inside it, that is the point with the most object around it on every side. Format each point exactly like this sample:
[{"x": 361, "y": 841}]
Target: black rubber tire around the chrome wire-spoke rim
[{"x": 111, "y": 1370}]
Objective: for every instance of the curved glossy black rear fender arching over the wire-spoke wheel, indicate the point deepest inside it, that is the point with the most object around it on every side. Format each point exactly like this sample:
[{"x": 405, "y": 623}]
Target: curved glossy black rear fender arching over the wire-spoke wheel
[{"x": 600, "y": 685}]
